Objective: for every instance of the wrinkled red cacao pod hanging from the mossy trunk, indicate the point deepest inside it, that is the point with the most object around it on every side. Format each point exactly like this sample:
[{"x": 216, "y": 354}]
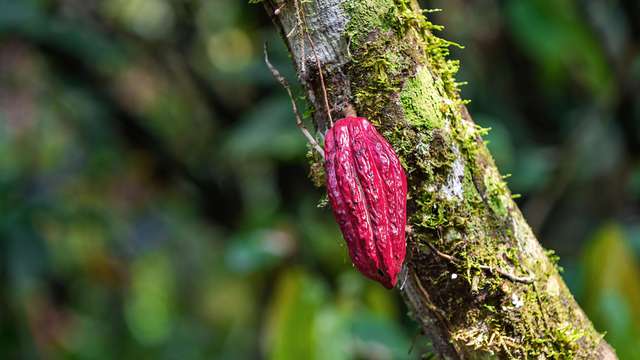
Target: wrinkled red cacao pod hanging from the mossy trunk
[{"x": 367, "y": 190}]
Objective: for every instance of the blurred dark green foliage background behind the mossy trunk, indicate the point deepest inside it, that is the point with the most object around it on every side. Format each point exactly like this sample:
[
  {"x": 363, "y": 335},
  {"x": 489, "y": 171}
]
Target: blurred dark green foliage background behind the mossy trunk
[{"x": 154, "y": 199}]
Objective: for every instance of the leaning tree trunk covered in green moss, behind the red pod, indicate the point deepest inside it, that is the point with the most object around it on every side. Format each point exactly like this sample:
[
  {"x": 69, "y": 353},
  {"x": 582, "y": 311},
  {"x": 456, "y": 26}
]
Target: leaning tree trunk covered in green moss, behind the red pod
[{"x": 476, "y": 280}]
